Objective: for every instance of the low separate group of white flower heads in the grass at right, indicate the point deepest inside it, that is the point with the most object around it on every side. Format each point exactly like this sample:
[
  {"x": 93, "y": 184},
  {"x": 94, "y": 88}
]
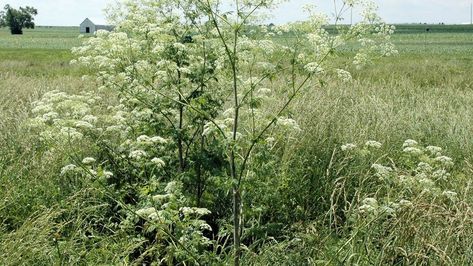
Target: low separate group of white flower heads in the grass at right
[{"x": 426, "y": 179}]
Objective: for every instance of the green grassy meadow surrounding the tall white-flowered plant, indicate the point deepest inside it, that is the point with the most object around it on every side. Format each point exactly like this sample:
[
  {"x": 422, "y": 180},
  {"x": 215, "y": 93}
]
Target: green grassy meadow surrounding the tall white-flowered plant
[{"x": 424, "y": 94}]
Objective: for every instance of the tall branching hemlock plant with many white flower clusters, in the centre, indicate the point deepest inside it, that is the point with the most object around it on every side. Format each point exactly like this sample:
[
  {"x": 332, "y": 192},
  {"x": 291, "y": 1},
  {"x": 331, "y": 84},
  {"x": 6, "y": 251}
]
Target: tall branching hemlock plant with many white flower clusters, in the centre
[{"x": 197, "y": 86}]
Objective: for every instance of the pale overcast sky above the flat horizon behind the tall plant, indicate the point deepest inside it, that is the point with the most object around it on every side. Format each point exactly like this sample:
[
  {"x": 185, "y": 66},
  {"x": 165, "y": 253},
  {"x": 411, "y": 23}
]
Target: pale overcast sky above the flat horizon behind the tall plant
[{"x": 73, "y": 12}]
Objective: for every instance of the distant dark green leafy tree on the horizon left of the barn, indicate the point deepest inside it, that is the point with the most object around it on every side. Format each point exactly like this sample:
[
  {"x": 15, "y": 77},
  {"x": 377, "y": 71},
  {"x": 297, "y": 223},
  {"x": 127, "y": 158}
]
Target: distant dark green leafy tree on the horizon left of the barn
[{"x": 17, "y": 19}]
